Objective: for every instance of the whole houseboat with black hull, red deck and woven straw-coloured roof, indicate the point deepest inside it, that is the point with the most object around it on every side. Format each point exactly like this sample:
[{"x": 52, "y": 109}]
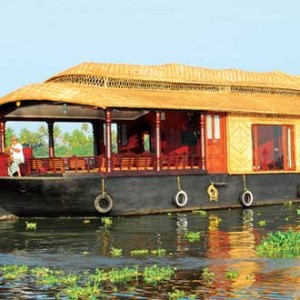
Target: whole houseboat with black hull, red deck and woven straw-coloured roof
[{"x": 188, "y": 138}]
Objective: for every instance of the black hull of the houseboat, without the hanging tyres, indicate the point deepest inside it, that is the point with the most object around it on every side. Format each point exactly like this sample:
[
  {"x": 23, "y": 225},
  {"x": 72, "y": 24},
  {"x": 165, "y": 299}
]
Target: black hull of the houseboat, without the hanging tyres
[{"x": 137, "y": 195}]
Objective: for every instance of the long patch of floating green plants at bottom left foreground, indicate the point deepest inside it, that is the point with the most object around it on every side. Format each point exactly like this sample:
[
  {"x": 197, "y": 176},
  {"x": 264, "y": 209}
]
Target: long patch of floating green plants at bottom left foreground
[{"x": 97, "y": 284}]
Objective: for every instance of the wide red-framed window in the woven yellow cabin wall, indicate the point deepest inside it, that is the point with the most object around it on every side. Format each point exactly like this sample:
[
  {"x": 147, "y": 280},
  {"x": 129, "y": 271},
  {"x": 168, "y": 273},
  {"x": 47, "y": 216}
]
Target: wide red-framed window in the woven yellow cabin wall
[{"x": 273, "y": 147}]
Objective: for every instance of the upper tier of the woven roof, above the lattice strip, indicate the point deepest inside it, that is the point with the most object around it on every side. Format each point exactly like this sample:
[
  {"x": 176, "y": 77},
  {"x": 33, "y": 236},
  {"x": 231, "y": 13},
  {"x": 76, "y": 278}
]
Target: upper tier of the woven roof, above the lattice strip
[{"x": 182, "y": 73}]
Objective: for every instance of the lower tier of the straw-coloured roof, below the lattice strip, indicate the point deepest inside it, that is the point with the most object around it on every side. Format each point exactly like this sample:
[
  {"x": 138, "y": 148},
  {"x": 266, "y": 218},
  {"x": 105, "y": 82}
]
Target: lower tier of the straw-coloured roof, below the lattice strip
[{"x": 132, "y": 99}]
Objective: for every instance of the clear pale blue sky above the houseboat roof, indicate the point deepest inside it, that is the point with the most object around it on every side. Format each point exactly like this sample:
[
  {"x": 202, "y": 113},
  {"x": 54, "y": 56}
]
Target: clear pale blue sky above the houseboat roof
[{"x": 39, "y": 38}]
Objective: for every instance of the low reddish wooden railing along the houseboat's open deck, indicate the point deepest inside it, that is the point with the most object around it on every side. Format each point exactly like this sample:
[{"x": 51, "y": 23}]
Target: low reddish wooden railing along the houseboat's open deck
[{"x": 119, "y": 163}]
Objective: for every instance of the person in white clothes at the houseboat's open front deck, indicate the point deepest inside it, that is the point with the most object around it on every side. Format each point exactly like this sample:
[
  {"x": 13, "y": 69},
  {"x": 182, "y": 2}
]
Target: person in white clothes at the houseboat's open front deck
[{"x": 16, "y": 157}]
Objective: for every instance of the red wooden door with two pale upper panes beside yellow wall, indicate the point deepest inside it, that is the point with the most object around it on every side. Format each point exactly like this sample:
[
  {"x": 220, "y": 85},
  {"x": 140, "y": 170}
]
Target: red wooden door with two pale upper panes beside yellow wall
[{"x": 215, "y": 143}]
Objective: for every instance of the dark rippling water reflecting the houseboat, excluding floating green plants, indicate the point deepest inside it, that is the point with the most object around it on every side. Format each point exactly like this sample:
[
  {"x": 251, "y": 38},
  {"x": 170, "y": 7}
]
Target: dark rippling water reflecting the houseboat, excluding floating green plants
[{"x": 227, "y": 244}]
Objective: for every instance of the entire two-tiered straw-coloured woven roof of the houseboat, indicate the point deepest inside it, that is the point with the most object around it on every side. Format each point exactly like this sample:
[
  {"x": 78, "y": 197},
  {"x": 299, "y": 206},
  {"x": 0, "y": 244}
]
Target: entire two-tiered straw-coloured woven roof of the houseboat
[{"x": 169, "y": 86}]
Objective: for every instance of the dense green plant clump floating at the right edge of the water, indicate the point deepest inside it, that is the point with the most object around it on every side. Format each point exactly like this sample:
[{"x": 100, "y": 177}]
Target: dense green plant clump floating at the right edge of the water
[{"x": 284, "y": 244}]
